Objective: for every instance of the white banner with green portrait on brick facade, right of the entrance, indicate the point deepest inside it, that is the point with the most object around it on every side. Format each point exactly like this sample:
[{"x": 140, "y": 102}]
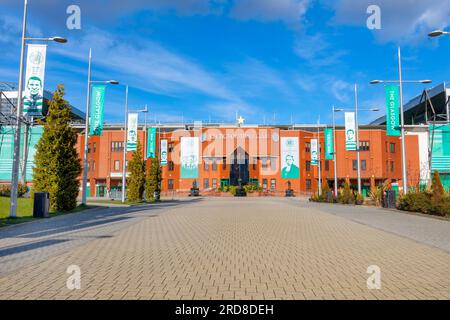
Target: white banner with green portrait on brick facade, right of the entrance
[{"x": 290, "y": 158}]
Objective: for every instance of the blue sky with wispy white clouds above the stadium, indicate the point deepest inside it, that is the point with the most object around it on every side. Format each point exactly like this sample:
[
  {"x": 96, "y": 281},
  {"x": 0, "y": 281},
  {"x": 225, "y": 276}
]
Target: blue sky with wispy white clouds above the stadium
[{"x": 277, "y": 61}]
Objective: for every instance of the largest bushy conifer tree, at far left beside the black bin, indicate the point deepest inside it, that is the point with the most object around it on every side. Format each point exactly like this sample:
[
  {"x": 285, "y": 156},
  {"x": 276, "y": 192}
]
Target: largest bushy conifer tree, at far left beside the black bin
[{"x": 56, "y": 163}]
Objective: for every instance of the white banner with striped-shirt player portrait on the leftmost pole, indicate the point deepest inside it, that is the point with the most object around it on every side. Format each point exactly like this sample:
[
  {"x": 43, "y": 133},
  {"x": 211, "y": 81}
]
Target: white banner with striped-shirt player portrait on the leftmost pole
[{"x": 34, "y": 80}]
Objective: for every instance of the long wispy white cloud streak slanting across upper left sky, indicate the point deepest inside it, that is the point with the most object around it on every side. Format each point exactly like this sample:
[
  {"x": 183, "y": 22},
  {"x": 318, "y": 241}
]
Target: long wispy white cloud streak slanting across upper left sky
[{"x": 149, "y": 66}]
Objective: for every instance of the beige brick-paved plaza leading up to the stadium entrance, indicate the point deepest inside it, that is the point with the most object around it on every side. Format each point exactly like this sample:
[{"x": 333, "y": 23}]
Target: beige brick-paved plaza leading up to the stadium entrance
[{"x": 251, "y": 248}]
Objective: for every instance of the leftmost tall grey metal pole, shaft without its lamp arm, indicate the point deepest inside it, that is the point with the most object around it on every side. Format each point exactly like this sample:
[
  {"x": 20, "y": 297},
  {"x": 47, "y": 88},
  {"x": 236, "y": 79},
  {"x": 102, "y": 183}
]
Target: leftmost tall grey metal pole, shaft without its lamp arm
[{"x": 16, "y": 160}]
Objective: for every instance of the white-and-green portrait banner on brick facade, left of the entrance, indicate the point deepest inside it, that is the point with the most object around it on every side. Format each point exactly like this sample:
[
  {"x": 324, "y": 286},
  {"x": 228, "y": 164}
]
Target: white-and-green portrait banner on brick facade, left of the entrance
[{"x": 189, "y": 157}]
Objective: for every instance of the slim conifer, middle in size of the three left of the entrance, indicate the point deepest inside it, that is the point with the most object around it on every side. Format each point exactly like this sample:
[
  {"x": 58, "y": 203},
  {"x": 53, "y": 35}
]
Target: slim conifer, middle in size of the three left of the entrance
[{"x": 136, "y": 180}]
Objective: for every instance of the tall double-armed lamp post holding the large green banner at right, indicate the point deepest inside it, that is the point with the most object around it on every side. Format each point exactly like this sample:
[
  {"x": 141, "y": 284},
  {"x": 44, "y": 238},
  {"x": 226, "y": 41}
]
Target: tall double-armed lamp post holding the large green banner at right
[{"x": 402, "y": 116}]
